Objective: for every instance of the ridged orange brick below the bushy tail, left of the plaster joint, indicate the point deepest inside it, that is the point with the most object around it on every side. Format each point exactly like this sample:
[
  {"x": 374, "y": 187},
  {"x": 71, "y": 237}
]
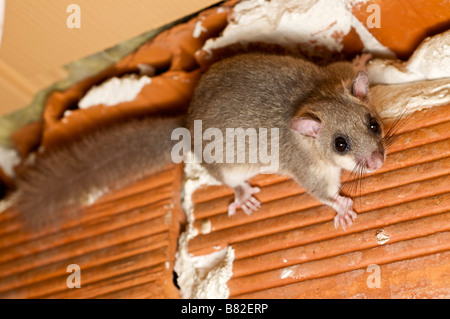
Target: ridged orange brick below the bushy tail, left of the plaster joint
[{"x": 124, "y": 244}]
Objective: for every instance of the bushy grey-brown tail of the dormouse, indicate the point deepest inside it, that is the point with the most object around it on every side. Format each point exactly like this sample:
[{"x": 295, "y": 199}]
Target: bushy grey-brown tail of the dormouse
[{"x": 61, "y": 182}]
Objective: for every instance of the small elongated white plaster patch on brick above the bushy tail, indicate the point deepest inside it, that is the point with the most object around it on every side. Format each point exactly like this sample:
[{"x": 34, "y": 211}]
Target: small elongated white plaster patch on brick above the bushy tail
[{"x": 115, "y": 91}]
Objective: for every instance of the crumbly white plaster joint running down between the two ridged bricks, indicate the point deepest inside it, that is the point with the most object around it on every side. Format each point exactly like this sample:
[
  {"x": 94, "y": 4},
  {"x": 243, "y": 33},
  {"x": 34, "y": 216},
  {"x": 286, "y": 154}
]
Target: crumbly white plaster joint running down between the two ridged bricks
[{"x": 200, "y": 276}]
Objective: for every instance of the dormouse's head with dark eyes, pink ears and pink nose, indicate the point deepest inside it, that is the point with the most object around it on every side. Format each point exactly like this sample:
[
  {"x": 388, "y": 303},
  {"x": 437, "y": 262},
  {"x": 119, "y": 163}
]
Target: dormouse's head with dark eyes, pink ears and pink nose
[{"x": 343, "y": 126}]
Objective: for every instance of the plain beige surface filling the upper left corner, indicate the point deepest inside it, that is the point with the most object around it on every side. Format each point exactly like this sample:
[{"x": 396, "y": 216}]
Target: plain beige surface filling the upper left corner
[{"x": 37, "y": 42}]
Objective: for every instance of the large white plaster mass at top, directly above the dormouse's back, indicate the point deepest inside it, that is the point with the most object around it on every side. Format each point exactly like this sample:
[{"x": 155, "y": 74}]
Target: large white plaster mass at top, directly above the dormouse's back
[{"x": 292, "y": 22}]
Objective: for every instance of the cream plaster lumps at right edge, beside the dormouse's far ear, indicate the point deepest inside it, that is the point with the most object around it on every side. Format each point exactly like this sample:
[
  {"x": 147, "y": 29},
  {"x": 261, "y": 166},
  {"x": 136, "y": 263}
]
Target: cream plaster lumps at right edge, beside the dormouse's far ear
[{"x": 421, "y": 82}]
